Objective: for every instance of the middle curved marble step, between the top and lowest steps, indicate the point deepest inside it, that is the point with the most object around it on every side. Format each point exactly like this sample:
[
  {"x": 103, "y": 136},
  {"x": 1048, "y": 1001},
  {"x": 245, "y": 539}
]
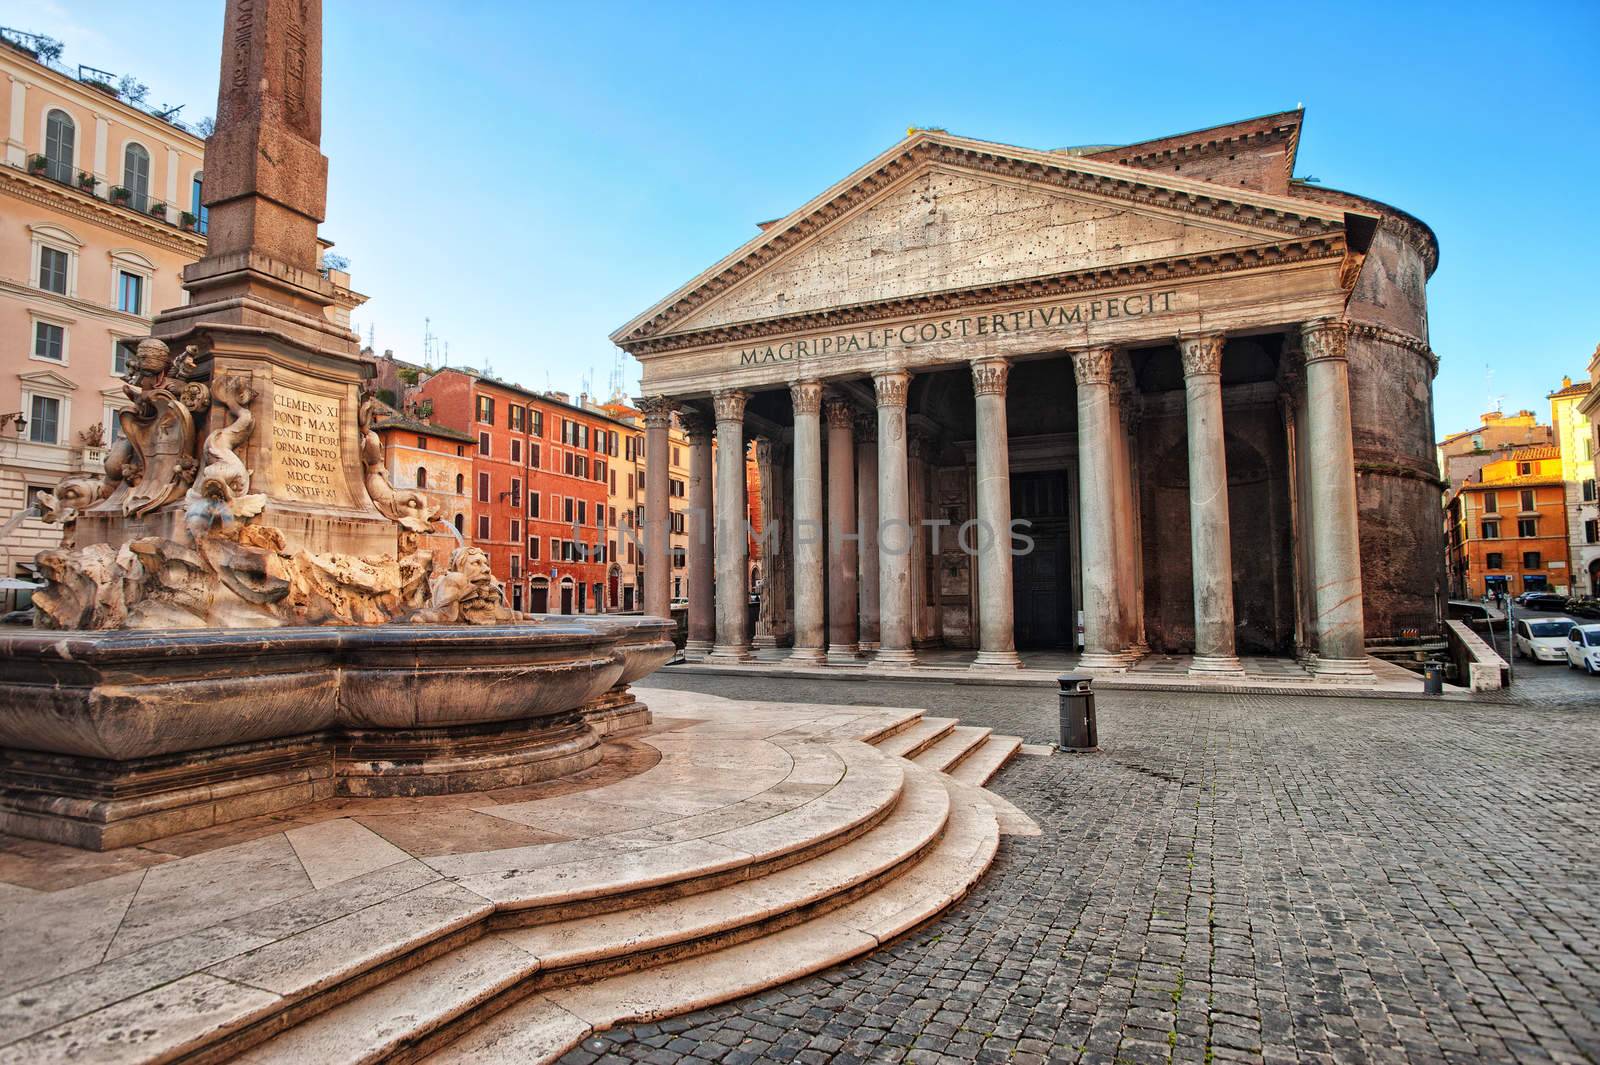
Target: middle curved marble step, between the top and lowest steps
[{"x": 406, "y": 1013}]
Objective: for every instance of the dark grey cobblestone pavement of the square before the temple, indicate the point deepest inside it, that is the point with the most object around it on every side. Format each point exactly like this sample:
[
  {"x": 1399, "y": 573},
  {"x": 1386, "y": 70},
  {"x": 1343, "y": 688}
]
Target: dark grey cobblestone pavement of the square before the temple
[{"x": 1233, "y": 879}]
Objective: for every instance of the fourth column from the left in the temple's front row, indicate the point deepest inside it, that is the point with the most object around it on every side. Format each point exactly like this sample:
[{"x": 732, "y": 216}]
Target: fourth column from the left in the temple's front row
[{"x": 895, "y": 530}]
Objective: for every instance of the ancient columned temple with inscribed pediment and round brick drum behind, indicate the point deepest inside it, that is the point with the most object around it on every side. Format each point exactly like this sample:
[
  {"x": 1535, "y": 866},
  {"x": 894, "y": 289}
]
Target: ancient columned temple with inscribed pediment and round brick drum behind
[{"x": 1146, "y": 399}]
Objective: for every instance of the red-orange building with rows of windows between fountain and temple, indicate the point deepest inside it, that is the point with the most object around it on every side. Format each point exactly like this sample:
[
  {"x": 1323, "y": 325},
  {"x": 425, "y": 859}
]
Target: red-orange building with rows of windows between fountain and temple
[{"x": 542, "y": 476}]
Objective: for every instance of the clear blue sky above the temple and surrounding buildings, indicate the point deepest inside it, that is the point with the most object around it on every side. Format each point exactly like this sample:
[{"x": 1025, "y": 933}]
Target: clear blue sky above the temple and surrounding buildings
[{"x": 529, "y": 177}]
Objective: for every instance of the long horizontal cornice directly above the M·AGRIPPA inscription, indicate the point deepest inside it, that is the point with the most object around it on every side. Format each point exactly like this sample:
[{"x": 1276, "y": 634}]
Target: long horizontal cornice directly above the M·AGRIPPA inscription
[{"x": 1122, "y": 276}]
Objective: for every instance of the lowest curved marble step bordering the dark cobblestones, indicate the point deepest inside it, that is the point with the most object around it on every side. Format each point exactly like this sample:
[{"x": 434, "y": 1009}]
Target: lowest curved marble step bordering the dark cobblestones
[{"x": 548, "y": 1024}]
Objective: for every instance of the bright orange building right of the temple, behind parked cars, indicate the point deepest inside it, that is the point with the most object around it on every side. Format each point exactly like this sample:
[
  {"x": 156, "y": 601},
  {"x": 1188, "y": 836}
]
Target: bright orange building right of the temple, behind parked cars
[{"x": 1506, "y": 529}]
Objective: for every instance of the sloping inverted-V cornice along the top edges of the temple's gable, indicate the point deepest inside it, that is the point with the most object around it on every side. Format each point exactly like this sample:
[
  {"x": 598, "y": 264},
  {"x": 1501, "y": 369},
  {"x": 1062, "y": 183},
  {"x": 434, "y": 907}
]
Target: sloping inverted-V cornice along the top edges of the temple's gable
[{"x": 1271, "y": 217}]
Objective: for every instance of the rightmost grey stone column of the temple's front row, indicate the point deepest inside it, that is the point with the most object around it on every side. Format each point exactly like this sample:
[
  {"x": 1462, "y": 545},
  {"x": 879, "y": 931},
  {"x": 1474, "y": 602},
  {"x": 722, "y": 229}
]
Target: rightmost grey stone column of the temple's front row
[{"x": 1340, "y": 623}]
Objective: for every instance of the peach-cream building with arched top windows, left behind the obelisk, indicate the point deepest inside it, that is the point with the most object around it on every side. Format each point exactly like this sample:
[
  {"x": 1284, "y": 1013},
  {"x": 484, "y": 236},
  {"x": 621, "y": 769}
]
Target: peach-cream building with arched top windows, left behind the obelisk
[{"x": 94, "y": 239}]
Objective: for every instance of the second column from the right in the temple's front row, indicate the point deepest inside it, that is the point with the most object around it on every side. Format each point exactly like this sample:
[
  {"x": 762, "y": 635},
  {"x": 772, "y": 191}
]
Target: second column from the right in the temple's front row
[{"x": 1212, "y": 560}]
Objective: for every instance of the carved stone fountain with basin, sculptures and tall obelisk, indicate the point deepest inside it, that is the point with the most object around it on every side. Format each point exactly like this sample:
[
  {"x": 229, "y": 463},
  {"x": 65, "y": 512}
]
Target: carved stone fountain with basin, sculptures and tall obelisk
[{"x": 241, "y": 618}]
